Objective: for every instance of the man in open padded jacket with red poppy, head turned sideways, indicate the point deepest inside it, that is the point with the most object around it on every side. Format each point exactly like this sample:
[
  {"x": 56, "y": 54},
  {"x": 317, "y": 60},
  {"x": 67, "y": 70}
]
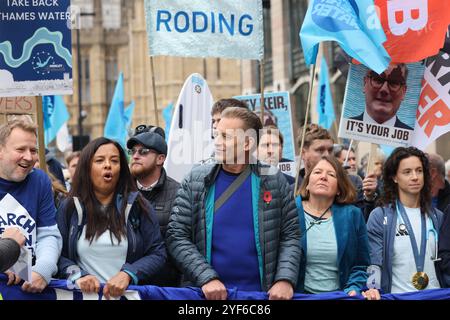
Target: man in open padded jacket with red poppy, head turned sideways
[{"x": 255, "y": 245}]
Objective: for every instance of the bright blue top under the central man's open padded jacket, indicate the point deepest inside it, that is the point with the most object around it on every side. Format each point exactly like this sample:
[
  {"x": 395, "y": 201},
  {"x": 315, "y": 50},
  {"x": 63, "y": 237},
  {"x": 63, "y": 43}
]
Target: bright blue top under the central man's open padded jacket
[{"x": 233, "y": 248}]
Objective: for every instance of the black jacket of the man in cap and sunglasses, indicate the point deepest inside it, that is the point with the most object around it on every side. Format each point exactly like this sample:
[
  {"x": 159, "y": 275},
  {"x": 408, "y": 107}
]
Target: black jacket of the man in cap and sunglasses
[{"x": 161, "y": 198}]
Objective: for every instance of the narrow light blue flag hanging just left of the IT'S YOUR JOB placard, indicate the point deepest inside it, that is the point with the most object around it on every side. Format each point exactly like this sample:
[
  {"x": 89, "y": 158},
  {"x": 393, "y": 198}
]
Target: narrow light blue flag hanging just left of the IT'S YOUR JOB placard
[{"x": 325, "y": 107}]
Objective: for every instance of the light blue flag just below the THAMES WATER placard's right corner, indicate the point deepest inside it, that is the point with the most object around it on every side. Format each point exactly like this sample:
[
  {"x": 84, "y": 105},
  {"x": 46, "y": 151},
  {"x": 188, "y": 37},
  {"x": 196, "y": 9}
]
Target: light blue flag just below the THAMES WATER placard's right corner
[{"x": 55, "y": 115}]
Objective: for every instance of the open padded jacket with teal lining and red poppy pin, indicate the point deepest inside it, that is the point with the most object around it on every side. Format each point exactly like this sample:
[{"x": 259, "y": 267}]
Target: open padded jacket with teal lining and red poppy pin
[{"x": 276, "y": 228}]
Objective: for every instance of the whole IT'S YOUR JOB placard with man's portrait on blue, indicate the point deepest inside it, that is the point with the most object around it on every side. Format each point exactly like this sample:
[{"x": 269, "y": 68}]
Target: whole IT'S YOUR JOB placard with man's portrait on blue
[{"x": 381, "y": 108}]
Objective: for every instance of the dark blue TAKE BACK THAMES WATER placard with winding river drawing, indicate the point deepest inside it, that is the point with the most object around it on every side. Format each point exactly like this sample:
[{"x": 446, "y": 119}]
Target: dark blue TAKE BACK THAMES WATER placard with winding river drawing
[{"x": 35, "y": 48}]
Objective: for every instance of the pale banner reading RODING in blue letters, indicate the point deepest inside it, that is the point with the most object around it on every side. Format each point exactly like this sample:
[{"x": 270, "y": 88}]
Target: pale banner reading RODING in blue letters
[{"x": 228, "y": 29}]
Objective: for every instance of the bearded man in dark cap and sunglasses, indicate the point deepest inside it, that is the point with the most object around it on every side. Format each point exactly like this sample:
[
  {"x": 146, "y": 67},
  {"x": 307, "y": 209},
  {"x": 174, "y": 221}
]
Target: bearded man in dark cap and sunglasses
[{"x": 148, "y": 151}]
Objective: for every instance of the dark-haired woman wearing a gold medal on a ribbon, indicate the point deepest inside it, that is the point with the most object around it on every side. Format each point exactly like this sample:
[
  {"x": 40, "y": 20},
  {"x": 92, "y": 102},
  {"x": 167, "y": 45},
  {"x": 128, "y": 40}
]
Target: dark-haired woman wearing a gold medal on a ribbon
[{"x": 403, "y": 233}]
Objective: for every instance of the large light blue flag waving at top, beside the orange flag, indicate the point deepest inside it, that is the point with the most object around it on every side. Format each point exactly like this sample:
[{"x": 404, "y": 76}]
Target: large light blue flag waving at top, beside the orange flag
[{"x": 353, "y": 24}]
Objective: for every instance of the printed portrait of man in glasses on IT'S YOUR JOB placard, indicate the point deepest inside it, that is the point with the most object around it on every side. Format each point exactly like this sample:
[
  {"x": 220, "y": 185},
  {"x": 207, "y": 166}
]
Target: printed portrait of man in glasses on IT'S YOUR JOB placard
[{"x": 384, "y": 94}]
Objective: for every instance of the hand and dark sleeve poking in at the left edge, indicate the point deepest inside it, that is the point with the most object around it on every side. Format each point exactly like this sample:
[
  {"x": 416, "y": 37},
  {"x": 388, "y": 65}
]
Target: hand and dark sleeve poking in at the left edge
[{"x": 10, "y": 242}]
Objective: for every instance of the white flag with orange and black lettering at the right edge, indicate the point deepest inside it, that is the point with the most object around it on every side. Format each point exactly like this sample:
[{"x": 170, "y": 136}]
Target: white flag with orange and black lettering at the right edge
[{"x": 433, "y": 113}]
